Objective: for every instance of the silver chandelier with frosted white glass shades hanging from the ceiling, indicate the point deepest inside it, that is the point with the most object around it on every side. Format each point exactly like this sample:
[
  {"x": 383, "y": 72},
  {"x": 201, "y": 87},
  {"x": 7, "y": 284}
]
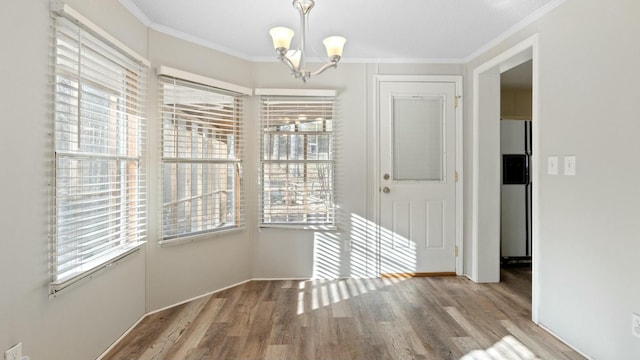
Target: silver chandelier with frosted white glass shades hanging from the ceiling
[{"x": 295, "y": 59}]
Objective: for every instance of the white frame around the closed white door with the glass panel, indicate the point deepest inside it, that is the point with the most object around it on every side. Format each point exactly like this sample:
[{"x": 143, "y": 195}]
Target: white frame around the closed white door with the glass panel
[{"x": 457, "y": 80}]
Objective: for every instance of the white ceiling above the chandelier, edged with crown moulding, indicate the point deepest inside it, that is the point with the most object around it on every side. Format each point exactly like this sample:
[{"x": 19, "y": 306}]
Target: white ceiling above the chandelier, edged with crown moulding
[{"x": 376, "y": 30}]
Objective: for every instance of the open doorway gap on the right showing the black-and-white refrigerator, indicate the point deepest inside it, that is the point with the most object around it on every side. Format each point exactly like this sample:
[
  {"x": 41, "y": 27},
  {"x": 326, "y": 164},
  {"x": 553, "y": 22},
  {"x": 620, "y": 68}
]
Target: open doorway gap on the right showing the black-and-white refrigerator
[{"x": 516, "y": 188}]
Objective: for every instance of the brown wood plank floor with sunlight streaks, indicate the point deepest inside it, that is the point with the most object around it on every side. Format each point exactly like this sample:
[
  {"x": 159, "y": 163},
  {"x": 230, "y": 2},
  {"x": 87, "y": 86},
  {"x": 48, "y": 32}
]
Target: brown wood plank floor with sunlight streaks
[{"x": 417, "y": 318}]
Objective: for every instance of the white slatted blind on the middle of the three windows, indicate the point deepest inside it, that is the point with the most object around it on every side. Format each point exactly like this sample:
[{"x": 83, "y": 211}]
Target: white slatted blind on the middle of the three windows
[{"x": 202, "y": 141}]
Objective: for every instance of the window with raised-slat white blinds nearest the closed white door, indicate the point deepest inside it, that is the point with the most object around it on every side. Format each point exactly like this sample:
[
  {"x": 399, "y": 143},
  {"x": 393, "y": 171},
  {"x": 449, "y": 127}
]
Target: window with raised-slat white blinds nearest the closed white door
[{"x": 297, "y": 160}]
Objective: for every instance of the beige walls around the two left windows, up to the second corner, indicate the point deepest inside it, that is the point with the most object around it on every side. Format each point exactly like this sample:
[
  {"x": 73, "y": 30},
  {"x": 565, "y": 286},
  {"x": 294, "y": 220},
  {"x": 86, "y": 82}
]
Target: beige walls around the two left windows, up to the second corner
[{"x": 83, "y": 321}]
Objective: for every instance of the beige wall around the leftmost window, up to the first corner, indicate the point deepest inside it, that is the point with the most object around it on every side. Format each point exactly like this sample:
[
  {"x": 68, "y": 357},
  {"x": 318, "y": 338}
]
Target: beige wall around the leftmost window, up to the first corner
[{"x": 84, "y": 320}]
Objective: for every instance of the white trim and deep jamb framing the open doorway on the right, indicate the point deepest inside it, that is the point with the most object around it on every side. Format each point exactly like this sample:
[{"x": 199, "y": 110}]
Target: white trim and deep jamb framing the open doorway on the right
[{"x": 487, "y": 161}]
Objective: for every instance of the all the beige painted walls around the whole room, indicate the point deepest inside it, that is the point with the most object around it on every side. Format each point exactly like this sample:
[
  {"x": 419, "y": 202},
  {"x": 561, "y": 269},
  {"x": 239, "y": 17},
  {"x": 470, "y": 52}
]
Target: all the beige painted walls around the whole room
[{"x": 589, "y": 78}]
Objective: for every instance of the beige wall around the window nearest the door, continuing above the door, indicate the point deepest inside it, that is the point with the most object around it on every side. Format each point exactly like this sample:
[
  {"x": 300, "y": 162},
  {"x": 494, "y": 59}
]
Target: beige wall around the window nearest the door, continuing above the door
[{"x": 349, "y": 251}]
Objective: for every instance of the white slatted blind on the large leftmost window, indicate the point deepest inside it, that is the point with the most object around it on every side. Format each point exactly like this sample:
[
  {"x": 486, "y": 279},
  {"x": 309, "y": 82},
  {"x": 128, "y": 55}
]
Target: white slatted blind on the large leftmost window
[{"x": 99, "y": 188}]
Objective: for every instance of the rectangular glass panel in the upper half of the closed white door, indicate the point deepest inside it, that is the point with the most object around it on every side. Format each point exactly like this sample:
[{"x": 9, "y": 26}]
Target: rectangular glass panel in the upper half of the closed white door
[{"x": 418, "y": 138}]
